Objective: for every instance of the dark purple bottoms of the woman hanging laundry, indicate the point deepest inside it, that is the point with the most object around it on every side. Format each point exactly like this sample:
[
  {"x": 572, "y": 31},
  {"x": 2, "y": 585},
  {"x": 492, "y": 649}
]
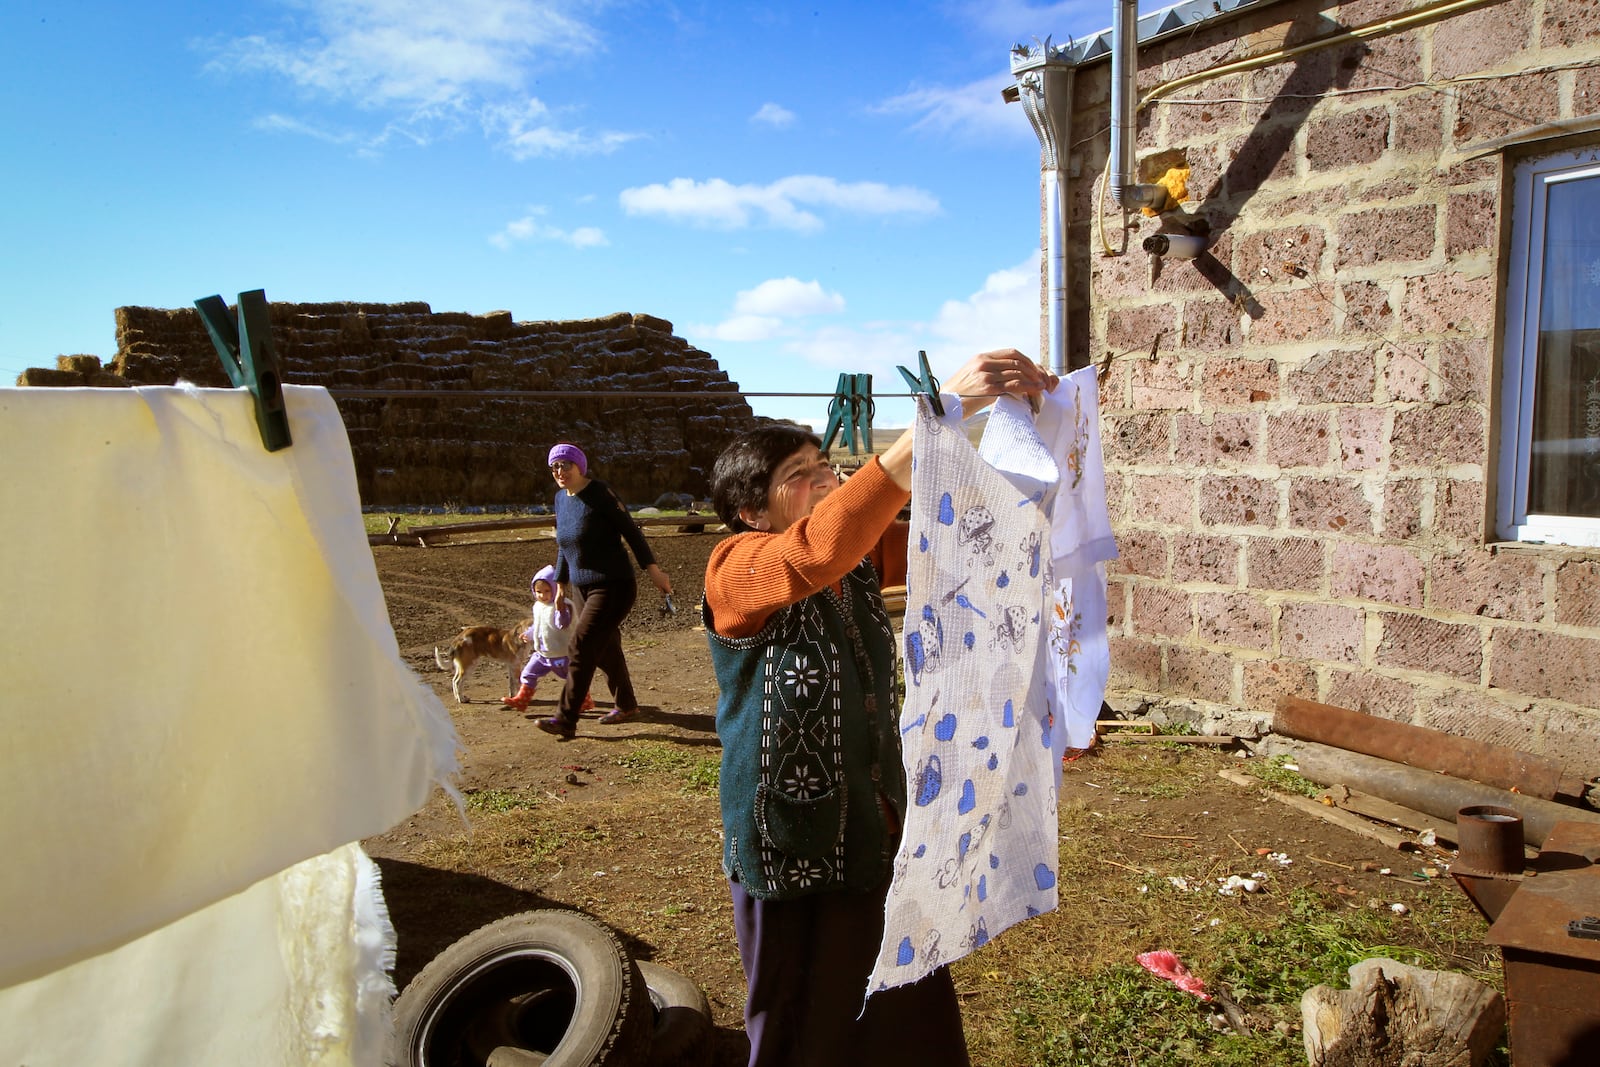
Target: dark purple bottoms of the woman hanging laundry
[{"x": 807, "y": 965}]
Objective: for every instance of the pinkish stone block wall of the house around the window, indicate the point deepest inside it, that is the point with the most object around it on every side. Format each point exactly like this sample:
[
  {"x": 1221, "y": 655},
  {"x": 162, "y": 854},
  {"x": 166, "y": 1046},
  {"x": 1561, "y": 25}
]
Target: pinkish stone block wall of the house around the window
[{"x": 1300, "y": 428}]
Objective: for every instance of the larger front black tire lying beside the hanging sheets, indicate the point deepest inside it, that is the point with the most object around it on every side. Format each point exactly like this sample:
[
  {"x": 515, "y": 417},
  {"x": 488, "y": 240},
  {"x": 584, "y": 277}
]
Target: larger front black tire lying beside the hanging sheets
[{"x": 545, "y": 988}]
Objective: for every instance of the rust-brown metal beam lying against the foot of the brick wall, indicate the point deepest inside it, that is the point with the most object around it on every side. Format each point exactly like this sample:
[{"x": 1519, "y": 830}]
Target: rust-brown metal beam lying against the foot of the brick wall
[{"x": 1430, "y": 749}]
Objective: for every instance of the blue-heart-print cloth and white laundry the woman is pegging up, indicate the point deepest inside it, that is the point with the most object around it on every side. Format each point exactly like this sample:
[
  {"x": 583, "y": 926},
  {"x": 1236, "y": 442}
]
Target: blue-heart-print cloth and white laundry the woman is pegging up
[{"x": 1006, "y": 663}]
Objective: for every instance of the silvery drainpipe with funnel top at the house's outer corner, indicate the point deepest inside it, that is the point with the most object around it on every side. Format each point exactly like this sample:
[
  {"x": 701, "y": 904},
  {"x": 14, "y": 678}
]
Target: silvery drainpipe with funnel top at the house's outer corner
[{"x": 1046, "y": 94}]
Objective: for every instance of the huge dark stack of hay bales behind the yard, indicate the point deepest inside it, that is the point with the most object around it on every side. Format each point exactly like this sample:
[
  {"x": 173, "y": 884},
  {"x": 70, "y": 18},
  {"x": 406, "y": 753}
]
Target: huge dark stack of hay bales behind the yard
[{"x": 442, "y": 450}]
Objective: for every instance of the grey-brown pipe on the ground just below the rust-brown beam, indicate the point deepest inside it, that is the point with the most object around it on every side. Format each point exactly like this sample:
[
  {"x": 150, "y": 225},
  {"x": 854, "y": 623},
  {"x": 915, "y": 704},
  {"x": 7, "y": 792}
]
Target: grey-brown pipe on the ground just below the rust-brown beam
[{"x": 1426, "y": 791}]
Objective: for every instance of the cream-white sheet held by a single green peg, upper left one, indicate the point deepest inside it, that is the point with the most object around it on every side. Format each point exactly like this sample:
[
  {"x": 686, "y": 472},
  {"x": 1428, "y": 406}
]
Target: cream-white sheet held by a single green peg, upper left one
[{"x": 202, "y": 684}]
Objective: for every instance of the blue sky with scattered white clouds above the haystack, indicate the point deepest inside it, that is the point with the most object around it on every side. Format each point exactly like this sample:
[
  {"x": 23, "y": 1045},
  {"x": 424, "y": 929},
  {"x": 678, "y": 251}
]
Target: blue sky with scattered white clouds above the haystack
[{"x": 801, "y": 190}]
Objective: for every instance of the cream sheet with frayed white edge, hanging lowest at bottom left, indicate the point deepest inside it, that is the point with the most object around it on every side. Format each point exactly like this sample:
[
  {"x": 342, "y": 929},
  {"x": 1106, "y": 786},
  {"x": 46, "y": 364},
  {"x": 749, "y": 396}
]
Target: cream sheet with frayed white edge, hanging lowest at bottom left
[{"x": 289, "y": 973}]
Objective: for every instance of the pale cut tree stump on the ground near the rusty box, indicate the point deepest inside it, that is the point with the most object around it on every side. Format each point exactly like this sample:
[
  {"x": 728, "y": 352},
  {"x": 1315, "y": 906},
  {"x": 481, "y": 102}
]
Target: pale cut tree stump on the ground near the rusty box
[{"x": 1402, "y": 1017}]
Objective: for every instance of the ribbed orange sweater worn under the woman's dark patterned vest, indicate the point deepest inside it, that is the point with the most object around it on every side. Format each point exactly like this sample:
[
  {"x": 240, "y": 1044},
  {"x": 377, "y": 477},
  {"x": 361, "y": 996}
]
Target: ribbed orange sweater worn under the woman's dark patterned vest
[{"x": 753, "y": 575}]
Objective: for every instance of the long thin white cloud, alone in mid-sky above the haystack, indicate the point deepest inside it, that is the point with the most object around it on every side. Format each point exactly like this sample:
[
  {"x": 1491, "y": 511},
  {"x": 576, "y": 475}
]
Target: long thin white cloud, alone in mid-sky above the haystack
[{"x": 783, "y": 204}]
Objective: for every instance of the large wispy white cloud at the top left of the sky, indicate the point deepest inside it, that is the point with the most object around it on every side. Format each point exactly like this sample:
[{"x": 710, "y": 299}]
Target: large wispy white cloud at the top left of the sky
[{"x": 431, "y": 66}]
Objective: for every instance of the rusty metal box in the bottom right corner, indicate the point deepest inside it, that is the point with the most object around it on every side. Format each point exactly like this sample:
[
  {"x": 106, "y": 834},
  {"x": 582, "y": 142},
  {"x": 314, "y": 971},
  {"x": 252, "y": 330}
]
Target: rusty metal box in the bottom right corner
[{"x": 1553, "y": 978}]
